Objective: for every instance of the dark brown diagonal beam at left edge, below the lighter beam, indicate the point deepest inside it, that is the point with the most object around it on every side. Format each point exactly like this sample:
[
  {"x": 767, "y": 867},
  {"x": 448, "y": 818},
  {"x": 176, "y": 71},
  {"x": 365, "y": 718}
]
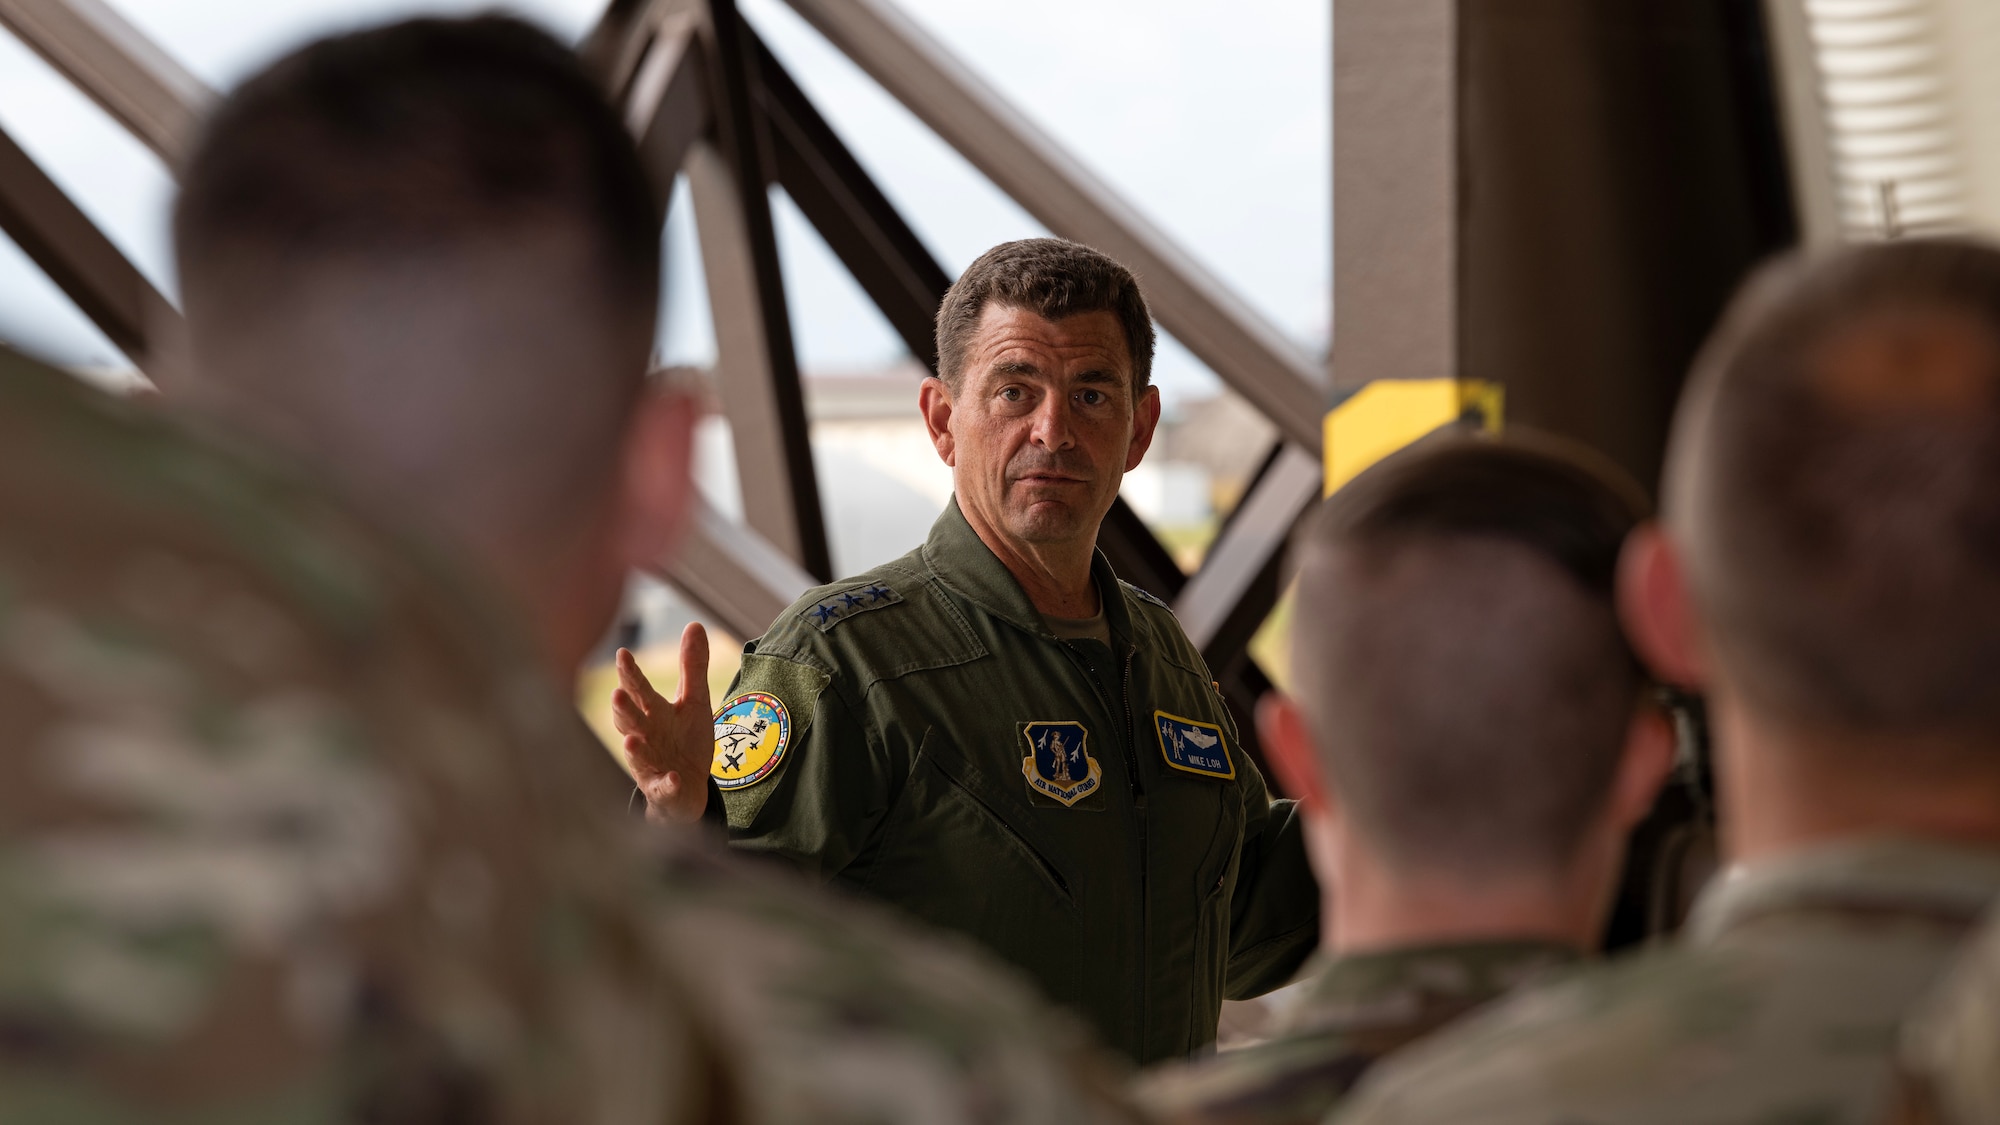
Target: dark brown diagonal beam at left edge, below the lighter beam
[{"x": 83, "y": 263}]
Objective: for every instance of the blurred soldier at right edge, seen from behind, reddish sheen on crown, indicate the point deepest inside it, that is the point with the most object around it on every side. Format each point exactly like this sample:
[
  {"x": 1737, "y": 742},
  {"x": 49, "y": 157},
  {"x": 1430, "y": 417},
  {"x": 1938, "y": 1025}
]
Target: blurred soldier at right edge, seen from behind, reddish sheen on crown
[{"x": 1831, "y": 576}]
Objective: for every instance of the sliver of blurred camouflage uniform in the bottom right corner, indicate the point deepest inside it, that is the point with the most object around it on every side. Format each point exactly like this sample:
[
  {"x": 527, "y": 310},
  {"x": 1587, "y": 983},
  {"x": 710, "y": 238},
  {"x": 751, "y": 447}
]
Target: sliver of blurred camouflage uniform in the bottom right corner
[{"x": 1953, "y": 1050}]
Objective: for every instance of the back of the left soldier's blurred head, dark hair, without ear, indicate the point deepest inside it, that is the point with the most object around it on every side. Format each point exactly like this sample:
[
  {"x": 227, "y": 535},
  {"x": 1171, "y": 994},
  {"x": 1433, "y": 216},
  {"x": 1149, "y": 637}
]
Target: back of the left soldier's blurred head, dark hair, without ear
[{"x": 427, "y": 259}]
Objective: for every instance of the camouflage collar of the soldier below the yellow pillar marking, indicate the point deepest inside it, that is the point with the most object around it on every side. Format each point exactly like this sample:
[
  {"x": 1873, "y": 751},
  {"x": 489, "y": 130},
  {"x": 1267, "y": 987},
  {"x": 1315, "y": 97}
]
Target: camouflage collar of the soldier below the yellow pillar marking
[{"x": 1413, "y": 986}]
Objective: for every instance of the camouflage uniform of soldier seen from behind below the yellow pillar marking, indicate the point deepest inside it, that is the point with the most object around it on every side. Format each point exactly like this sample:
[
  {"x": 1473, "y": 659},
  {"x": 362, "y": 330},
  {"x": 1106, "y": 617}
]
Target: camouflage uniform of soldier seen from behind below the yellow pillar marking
[{"x": 1355, "y": 1010}]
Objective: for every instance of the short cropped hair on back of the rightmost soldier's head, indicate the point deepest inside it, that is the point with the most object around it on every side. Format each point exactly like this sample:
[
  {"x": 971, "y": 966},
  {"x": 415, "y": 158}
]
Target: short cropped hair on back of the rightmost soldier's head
[{"x": 1837, "y": 483}]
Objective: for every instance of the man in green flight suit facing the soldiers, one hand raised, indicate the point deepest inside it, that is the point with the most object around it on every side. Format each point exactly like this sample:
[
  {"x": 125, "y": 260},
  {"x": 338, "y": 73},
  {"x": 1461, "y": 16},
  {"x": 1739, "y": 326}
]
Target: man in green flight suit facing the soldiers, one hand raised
[{"x": 993, "y": 732}]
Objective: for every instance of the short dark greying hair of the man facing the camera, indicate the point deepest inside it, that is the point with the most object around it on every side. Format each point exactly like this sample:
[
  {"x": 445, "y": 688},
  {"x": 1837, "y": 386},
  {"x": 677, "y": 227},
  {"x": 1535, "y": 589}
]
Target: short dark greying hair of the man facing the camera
[{"x": 1053, "y": 279}]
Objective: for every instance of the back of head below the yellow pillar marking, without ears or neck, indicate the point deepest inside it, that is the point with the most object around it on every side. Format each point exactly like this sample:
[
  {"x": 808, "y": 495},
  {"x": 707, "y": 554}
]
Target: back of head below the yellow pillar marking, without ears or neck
[{"x": 1457, "y": 652}]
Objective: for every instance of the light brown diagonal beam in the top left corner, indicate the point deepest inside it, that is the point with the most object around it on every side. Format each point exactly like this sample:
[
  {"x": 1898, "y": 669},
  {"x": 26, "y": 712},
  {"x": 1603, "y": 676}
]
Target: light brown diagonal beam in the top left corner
[{"x": 115, "y": 65}]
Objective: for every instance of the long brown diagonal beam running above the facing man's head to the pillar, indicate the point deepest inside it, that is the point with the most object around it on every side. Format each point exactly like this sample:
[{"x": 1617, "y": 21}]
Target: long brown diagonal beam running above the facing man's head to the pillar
[{"x": 1253, "y": 357}]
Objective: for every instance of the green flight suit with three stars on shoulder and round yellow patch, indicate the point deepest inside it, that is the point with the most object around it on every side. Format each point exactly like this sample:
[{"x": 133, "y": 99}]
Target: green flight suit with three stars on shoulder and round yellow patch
[{"x": 917, "y": 734}]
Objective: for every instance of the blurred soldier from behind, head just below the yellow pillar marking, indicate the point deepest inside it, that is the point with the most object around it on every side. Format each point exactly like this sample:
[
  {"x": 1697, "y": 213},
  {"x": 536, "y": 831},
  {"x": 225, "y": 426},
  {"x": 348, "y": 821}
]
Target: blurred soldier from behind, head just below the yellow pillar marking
[{"x": 1471, "y": 746}]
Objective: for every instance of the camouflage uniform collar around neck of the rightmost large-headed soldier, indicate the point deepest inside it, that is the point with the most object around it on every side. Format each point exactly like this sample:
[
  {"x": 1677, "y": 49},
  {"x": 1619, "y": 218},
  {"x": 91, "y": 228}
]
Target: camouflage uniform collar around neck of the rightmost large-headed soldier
[{"x": 1869, "y": 878}]
